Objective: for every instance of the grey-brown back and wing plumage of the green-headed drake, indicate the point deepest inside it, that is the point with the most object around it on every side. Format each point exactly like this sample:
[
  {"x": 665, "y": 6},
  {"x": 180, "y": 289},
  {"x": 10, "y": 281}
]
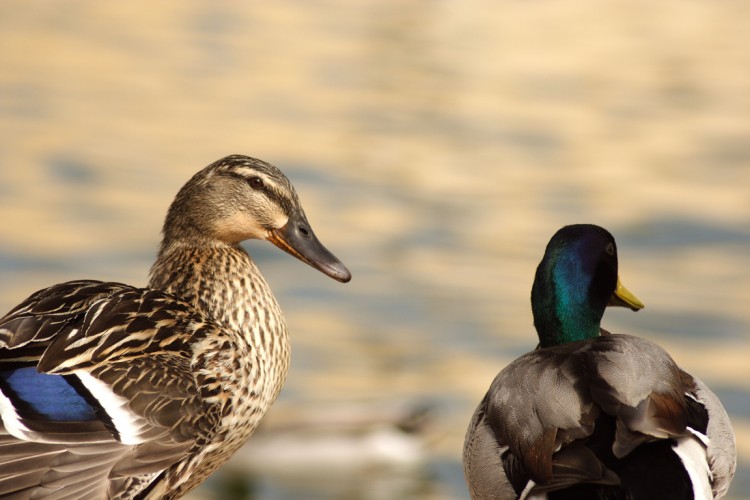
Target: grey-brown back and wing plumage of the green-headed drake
[{"x": 551, "y": 397}]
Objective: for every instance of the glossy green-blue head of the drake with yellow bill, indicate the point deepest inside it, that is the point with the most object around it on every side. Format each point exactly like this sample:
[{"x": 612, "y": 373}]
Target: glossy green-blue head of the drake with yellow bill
[{"x": 575, "y": 281}]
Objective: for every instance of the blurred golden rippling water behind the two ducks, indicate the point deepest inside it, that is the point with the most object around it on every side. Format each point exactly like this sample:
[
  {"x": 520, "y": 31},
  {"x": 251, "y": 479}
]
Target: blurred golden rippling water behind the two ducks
[{"x": 436, "y": 146}]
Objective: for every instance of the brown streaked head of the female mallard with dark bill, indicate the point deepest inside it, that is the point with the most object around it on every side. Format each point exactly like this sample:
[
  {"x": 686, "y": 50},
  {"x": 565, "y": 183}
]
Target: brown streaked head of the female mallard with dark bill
[{"x": 239, "y": 198}]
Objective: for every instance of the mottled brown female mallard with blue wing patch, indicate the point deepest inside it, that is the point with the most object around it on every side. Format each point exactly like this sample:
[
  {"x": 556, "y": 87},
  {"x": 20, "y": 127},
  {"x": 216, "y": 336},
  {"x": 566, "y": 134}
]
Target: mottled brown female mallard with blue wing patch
[{"x": 112, "y": 391}]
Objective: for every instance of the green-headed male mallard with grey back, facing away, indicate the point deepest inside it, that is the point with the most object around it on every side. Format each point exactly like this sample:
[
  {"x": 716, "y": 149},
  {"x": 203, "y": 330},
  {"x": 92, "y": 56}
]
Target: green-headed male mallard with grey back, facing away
[{"x": 589, "y": 414}]
